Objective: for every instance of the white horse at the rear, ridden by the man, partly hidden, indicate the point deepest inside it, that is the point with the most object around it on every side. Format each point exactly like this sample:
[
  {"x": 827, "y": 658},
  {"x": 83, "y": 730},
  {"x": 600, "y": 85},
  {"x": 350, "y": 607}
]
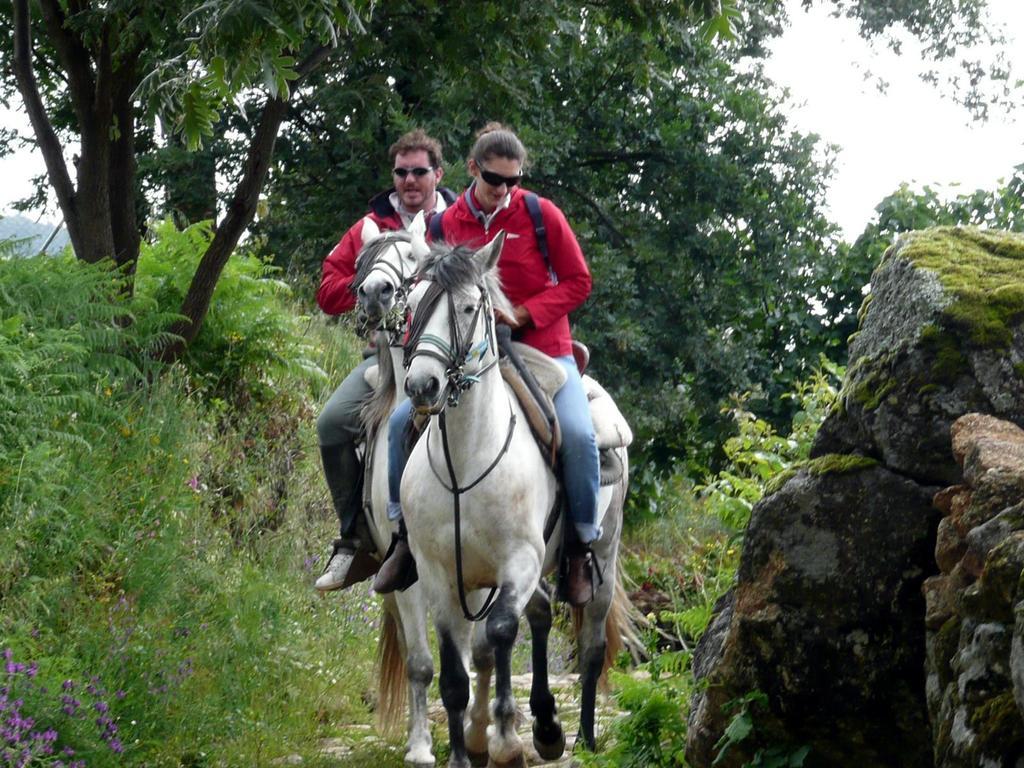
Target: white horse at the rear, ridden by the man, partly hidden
[{"x": 386, "y": 270}]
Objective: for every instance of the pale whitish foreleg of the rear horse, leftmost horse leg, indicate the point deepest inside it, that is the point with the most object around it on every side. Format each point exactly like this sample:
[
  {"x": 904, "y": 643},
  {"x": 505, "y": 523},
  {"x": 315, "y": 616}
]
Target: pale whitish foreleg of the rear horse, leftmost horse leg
[{"x": 420, "y": 671}]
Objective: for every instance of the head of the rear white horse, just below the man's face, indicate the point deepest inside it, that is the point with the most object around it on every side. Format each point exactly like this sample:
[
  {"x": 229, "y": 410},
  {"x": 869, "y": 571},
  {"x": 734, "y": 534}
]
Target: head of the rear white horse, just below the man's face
[{"x": 386, "y": 270}]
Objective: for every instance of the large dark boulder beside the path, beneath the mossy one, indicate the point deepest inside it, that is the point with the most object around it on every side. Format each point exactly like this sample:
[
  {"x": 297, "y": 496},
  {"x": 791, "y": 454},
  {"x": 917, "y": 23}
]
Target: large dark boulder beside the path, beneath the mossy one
[{"x": 826, "y": 621}]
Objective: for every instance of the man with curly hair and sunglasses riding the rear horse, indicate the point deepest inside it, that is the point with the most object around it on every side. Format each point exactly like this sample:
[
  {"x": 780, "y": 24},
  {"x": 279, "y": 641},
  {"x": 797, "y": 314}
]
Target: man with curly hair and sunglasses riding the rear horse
[{"x": 417, "y": 167}]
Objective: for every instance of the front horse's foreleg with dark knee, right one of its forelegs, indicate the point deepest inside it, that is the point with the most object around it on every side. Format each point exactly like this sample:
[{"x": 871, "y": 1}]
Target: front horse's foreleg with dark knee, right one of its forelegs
[{"x": 504, "y": 745}]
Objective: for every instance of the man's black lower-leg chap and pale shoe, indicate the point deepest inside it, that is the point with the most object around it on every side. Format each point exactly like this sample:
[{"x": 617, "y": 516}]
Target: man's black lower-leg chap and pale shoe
[{"x": 352, "y": 561}]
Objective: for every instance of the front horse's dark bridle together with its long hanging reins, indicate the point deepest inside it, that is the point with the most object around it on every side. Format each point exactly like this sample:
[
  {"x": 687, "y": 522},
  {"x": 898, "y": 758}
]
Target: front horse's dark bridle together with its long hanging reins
[{"x": 456, "y": 356}]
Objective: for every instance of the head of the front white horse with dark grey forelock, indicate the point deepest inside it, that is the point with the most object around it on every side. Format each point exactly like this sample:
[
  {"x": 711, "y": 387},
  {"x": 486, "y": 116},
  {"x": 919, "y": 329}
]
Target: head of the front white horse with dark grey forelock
[{"x": 452, "y": 340}]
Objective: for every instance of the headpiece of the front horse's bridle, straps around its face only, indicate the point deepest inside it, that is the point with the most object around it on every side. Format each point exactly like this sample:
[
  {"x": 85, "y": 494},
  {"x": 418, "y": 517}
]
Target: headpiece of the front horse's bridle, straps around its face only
[{"x": 457, "y": 354}]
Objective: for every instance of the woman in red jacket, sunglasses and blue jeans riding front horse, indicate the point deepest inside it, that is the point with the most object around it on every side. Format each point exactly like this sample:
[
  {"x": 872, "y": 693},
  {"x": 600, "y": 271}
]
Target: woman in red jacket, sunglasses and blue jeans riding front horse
[{"x": 543, "y": 291}]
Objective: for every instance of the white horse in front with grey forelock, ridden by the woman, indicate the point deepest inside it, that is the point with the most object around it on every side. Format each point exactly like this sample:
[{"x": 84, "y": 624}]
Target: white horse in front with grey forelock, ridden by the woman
[{"x": 478, "y": 495}]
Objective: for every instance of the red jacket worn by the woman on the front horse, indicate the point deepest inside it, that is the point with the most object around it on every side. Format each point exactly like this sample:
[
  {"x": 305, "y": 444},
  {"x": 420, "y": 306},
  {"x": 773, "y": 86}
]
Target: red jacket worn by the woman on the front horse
[{"x": 525, "y": 275}]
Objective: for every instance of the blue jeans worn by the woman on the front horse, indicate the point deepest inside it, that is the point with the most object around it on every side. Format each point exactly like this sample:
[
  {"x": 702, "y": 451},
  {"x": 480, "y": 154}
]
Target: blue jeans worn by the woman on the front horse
[{"x": 581, "y": 467}]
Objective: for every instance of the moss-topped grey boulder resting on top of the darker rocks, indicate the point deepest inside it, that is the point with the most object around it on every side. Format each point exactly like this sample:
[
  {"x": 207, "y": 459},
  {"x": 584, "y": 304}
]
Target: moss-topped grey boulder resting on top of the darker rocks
[{"x": 944, "y": 336}]
